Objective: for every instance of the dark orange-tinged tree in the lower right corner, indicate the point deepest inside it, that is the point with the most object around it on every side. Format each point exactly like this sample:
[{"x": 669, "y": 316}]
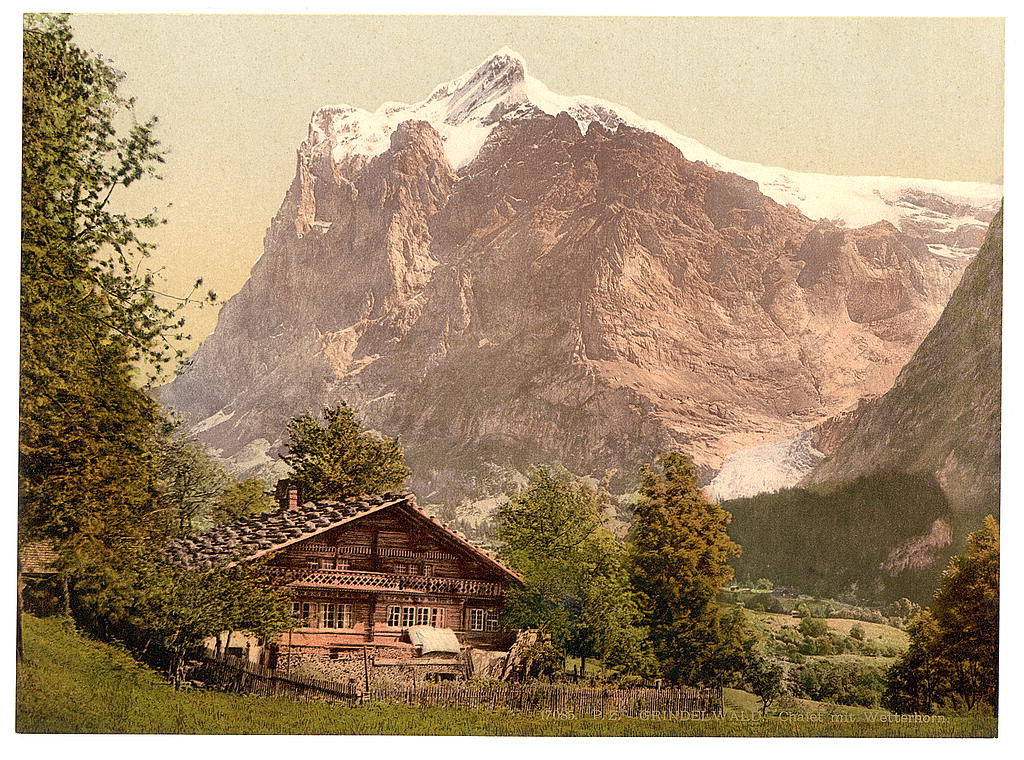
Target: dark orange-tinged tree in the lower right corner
[{"x": 954, "y": 656}]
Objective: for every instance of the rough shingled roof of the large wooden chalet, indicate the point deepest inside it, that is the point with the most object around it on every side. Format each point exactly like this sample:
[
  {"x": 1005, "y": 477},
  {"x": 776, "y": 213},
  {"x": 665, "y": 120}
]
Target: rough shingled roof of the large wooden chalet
[{"x": 257, "y": 536}]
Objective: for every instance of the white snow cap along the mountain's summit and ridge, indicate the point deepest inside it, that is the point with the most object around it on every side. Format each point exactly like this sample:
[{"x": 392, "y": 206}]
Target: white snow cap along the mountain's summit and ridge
[{"x": 952, "y": 216}]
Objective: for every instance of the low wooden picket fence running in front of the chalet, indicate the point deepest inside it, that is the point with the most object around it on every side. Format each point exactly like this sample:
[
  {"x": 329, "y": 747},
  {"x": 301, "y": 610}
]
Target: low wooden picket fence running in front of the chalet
[{"x": 242, "y": 677}]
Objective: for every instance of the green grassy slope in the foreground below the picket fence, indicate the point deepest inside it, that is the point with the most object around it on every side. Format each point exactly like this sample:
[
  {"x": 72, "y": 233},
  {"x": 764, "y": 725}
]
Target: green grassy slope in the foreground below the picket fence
[{"x": 69, "y": 684}]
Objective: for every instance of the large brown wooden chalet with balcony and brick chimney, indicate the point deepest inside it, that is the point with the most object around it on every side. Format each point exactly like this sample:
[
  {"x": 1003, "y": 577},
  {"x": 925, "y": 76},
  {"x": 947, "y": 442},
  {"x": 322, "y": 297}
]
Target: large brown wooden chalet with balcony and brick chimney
[{"x": 362, "y": 574}]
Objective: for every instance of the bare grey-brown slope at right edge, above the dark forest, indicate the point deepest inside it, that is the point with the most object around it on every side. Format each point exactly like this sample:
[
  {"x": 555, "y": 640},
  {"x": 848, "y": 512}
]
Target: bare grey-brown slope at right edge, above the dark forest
[{"x": 942, "y": 417}]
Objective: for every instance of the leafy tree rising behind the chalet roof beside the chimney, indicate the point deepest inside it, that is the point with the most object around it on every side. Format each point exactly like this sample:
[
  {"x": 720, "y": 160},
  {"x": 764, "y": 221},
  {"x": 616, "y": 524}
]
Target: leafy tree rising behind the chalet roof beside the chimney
[{"x": 340, "y": 460}]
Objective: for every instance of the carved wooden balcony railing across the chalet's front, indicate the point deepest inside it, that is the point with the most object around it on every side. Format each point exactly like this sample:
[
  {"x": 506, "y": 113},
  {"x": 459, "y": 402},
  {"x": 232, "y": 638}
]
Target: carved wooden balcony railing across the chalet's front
[{"x": 364, "y": 581}]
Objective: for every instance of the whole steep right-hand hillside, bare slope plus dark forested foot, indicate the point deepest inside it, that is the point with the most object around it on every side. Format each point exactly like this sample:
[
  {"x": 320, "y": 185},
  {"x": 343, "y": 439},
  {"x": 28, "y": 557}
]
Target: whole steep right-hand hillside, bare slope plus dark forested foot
[{"x": 910, "y": 474}]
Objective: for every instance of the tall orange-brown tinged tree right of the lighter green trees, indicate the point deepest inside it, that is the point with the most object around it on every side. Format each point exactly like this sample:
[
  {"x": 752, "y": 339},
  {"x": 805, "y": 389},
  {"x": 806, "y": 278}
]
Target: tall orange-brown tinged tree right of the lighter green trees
[{"x": 681, "y": 555}]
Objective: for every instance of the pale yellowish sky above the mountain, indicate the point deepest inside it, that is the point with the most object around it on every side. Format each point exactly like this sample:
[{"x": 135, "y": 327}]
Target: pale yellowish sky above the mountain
[{"x": 234, "y": 95}]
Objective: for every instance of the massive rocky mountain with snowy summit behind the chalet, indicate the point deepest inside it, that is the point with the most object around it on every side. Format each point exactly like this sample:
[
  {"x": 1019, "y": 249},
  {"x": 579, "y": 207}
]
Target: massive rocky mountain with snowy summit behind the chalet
[{"x": 502, "y": 276}]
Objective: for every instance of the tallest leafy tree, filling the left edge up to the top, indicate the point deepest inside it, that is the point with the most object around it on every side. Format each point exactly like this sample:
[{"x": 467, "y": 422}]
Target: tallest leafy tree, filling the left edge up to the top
[{"x": 91, "y": 313}]
